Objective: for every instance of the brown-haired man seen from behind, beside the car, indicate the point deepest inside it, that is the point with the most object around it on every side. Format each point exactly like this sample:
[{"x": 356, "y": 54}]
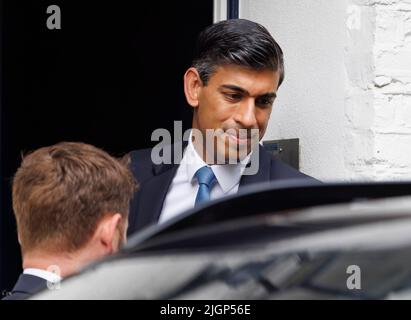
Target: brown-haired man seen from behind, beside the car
[{"x": 71, "y": 204}]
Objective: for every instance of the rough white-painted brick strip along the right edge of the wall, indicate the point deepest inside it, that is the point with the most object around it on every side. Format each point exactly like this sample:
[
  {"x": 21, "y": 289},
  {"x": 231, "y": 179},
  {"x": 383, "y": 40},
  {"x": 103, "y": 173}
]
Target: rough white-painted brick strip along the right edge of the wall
[{"x": 392, "y": 90}]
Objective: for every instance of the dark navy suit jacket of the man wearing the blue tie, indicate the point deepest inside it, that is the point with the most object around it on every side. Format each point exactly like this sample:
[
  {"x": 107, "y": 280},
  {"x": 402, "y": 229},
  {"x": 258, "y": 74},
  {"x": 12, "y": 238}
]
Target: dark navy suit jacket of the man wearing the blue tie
[{"x": 154, "y": 181}]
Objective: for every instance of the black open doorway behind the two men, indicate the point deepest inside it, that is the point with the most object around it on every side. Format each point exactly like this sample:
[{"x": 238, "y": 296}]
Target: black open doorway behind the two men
[{"x": 109, "y": 77}]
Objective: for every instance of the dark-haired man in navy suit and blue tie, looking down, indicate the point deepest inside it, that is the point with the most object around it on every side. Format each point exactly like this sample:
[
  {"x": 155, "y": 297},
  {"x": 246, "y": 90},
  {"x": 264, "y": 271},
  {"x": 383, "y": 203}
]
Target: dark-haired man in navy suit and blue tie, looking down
[{"x": 231, "y": 87}]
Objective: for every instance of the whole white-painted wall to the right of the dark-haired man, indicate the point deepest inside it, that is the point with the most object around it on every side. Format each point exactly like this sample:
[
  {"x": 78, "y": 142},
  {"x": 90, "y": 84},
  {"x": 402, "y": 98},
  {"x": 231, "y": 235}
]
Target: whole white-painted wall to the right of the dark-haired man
[{"x": 347, "y": 94}]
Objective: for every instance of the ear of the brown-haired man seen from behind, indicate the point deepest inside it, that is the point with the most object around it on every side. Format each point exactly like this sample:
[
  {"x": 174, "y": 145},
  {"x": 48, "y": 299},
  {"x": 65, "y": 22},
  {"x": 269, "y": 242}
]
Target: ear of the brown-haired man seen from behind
[{"x": 108, "y": 230}]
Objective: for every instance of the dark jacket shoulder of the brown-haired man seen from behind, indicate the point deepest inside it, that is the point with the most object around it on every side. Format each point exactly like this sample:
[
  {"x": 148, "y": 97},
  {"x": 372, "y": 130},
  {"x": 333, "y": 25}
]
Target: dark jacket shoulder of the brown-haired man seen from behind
[{"x": 26, "y": 286}]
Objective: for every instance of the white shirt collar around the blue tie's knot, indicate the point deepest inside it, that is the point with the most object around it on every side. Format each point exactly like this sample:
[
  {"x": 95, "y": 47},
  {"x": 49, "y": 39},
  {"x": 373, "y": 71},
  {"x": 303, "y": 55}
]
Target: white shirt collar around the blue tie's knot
[{"x": 227, "y": 175}]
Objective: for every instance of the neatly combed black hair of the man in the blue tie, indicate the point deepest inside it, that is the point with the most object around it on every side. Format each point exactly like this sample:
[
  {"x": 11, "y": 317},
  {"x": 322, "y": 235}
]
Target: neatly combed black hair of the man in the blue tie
[{"x": 239, "y": 42}]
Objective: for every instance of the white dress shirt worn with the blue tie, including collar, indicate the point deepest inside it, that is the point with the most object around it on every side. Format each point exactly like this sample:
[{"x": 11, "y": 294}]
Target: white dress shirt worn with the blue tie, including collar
[{"x": 183, "y": 189}]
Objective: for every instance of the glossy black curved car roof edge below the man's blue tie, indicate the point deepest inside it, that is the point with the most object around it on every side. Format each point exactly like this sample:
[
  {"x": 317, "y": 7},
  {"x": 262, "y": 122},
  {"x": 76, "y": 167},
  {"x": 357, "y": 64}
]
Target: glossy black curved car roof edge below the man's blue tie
[{"x": 269, "y": 198}]
